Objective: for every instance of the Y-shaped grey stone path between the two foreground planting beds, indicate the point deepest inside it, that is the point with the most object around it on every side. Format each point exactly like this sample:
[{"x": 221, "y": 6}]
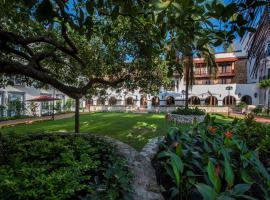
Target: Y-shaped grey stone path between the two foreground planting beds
[{"x": 144, "y": 184}]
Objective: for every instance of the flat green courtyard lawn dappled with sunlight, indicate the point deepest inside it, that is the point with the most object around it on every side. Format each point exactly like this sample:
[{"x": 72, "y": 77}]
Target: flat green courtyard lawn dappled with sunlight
[{"x": 131, "y": 128}]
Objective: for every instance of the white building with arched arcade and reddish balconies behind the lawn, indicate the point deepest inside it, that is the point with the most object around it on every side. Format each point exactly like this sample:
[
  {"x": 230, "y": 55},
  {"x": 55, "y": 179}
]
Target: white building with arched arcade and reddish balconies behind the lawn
[{"x": 209, "y": 91}]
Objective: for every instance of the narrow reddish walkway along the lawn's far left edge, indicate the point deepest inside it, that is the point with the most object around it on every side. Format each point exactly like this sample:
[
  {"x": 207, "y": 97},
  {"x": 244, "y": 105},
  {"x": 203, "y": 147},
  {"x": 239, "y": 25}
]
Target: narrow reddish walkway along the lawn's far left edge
[{"x": 31, "y": 120}]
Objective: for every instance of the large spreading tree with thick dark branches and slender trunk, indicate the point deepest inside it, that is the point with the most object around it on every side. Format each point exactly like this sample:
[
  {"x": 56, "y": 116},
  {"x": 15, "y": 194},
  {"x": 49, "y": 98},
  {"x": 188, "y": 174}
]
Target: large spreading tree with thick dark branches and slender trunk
[{"x": 80, "y": 47}]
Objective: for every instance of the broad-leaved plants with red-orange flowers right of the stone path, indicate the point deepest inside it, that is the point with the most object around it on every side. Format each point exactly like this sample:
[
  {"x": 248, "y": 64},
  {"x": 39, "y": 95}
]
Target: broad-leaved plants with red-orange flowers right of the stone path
[{"x": 210, "y": 161}]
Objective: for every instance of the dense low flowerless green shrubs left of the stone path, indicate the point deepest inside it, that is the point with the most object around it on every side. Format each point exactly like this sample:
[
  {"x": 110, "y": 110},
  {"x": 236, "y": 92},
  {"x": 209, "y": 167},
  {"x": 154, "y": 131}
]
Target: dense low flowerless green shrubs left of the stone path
[{"x": 62, "y": 167}]
